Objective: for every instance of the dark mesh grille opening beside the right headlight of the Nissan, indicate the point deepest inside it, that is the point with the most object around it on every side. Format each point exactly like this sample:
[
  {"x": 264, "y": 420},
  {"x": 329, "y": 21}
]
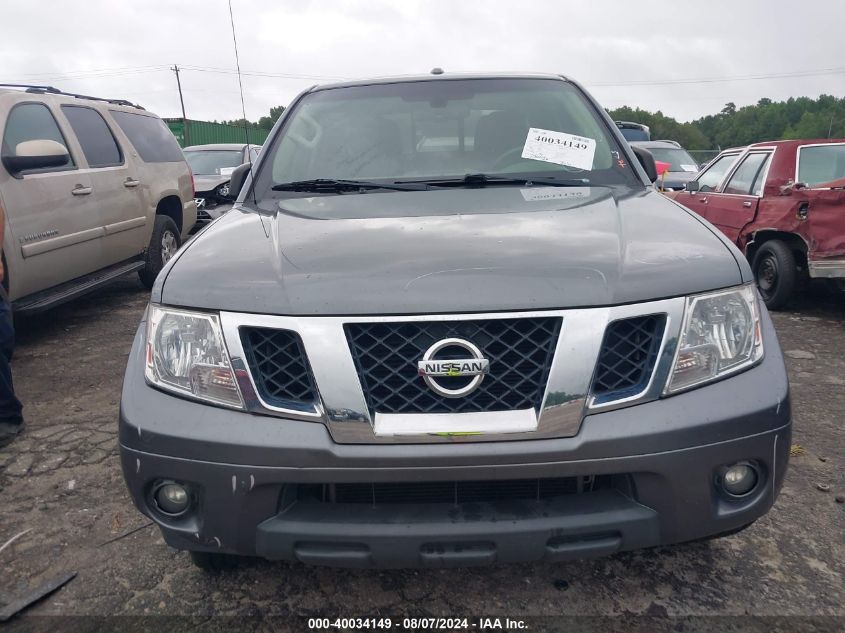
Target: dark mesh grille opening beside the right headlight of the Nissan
[{"x": 628, "y": 355}]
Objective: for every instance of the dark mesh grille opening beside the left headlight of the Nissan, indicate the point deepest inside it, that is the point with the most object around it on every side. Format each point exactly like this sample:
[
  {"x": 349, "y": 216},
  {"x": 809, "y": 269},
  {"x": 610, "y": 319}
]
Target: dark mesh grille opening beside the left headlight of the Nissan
[{"x": 279, "y": 367}]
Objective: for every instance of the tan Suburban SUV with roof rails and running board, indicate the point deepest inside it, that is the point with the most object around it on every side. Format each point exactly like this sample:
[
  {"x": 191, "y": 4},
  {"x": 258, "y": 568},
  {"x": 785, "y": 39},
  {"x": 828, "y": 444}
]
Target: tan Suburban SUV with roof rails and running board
[{"x": 92, "y": 189}]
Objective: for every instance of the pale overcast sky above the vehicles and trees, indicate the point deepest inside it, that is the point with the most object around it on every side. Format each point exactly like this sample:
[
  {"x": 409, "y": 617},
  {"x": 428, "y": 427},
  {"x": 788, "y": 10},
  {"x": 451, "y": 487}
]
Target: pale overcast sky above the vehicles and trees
[{"x": 626, "y": 53}]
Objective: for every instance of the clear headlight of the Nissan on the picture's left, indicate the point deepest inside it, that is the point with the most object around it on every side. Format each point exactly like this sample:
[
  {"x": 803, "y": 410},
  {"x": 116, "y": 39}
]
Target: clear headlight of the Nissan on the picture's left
[{"x": 186, "y": 355}]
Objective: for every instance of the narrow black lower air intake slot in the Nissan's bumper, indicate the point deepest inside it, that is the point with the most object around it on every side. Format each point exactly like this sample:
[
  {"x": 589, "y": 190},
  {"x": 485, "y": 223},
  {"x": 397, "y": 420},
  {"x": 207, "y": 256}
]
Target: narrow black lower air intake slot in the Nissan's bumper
[{"x": 454, "y": 492}]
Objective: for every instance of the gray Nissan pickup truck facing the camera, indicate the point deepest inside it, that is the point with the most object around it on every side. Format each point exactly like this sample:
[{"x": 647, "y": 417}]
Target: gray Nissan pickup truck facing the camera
[{"x": 449, "y": 322}]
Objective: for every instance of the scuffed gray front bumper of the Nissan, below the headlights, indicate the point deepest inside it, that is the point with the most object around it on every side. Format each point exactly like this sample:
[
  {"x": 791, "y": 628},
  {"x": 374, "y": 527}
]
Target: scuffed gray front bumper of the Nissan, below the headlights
[{"x": 662, "y": 457}]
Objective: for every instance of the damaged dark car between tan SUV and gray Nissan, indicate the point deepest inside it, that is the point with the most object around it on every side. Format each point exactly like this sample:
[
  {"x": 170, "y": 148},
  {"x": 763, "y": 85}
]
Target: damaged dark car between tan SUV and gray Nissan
[{"x": 212, "y": 166}]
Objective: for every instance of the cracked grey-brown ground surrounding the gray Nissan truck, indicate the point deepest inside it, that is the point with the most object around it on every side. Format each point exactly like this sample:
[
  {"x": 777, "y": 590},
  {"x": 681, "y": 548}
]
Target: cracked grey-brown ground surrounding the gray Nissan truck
[{"x": 62, "y": 481}]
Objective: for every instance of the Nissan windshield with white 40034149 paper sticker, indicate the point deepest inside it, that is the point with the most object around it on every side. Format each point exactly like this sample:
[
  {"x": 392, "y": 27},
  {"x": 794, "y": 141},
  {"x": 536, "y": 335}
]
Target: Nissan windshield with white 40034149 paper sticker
[{"x": 413, "y": 132}]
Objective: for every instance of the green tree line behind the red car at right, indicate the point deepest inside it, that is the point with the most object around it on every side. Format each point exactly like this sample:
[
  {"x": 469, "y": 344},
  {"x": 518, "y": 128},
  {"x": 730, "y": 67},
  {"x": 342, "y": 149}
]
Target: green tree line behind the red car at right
[{"x": 767, "y": 120}]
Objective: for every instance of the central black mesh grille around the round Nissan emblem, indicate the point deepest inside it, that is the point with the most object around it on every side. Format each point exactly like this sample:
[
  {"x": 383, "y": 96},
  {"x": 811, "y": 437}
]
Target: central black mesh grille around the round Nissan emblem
[{"x": 520, "y": 352}]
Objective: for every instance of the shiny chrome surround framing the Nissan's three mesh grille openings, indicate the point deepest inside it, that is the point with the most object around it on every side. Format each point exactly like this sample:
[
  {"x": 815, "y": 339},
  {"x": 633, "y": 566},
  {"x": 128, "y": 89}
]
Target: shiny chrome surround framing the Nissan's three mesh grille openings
[{"x": 567, "y": 400}]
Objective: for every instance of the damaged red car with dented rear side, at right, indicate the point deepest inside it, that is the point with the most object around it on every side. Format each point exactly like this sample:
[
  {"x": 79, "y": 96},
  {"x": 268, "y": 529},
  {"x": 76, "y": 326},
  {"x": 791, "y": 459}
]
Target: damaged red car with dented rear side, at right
[{"x": 783, "y": 205}]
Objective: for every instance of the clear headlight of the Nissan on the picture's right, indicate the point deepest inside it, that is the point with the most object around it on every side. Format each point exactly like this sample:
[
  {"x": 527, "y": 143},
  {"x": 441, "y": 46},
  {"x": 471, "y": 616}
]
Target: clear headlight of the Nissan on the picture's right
[{"x": 720, "y": 335}]
